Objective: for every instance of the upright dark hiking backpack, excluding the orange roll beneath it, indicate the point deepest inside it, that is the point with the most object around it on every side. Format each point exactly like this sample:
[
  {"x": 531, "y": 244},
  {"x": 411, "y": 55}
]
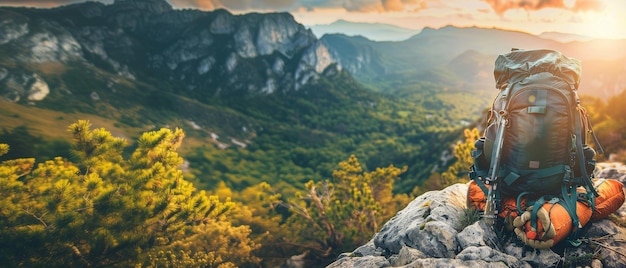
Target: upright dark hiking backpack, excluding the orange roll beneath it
[{"x": 544, "y": 152}]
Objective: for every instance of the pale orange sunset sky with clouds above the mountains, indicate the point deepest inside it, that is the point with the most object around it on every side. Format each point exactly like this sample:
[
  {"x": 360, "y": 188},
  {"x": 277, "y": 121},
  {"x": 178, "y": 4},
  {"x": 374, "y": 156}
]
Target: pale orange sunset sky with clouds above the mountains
[{"x": 593, "y": 18}]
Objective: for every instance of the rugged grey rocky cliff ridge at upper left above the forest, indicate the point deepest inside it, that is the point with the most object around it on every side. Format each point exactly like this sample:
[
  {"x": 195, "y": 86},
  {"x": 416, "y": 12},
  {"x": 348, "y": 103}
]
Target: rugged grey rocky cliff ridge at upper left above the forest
[{"x": 214, "y": 53}]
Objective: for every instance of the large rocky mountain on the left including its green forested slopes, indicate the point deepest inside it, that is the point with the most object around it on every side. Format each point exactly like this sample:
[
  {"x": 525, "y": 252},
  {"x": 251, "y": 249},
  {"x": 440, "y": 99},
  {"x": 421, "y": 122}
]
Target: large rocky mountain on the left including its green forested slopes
[{"x": 258, "y": 95}]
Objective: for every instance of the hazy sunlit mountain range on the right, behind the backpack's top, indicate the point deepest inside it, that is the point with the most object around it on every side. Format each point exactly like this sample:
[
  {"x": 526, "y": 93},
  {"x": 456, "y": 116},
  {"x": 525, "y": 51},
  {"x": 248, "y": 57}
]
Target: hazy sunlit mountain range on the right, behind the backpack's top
[{"x": 434, "y": 52}]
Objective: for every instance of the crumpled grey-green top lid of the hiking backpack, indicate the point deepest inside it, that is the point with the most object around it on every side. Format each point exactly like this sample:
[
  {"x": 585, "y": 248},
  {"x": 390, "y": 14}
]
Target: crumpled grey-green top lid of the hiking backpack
[{"x": 519, "y": 64}]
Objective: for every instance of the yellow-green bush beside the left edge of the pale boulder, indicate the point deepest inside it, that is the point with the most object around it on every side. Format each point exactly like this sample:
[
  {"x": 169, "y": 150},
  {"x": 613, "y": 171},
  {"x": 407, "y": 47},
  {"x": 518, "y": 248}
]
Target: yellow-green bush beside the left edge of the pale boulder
[{"x": 336, "y": 216}]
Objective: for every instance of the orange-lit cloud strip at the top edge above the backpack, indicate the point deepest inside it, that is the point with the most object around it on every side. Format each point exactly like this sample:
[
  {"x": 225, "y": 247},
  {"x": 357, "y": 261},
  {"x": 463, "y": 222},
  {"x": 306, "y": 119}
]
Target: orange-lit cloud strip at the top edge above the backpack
[{"x": 501, "y": 6}]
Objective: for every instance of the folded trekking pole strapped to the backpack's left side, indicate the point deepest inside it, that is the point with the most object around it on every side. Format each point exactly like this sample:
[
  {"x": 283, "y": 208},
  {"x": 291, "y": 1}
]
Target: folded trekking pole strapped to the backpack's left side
[{"x": 491, "y": 205}]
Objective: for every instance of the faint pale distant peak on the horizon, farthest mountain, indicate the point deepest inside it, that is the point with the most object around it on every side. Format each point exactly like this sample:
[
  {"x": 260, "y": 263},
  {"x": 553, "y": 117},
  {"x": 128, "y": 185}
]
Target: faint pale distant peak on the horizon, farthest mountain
[{"x": 371, "y": 31}]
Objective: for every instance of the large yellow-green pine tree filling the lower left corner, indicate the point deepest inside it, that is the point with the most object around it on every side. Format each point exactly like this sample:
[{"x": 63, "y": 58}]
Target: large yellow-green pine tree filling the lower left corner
[{"x": 104, "y": 210}]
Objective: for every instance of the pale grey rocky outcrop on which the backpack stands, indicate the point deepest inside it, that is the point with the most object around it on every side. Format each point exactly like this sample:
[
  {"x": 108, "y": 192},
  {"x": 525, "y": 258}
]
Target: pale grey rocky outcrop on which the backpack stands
[{"x": 428, "y": 233}]
